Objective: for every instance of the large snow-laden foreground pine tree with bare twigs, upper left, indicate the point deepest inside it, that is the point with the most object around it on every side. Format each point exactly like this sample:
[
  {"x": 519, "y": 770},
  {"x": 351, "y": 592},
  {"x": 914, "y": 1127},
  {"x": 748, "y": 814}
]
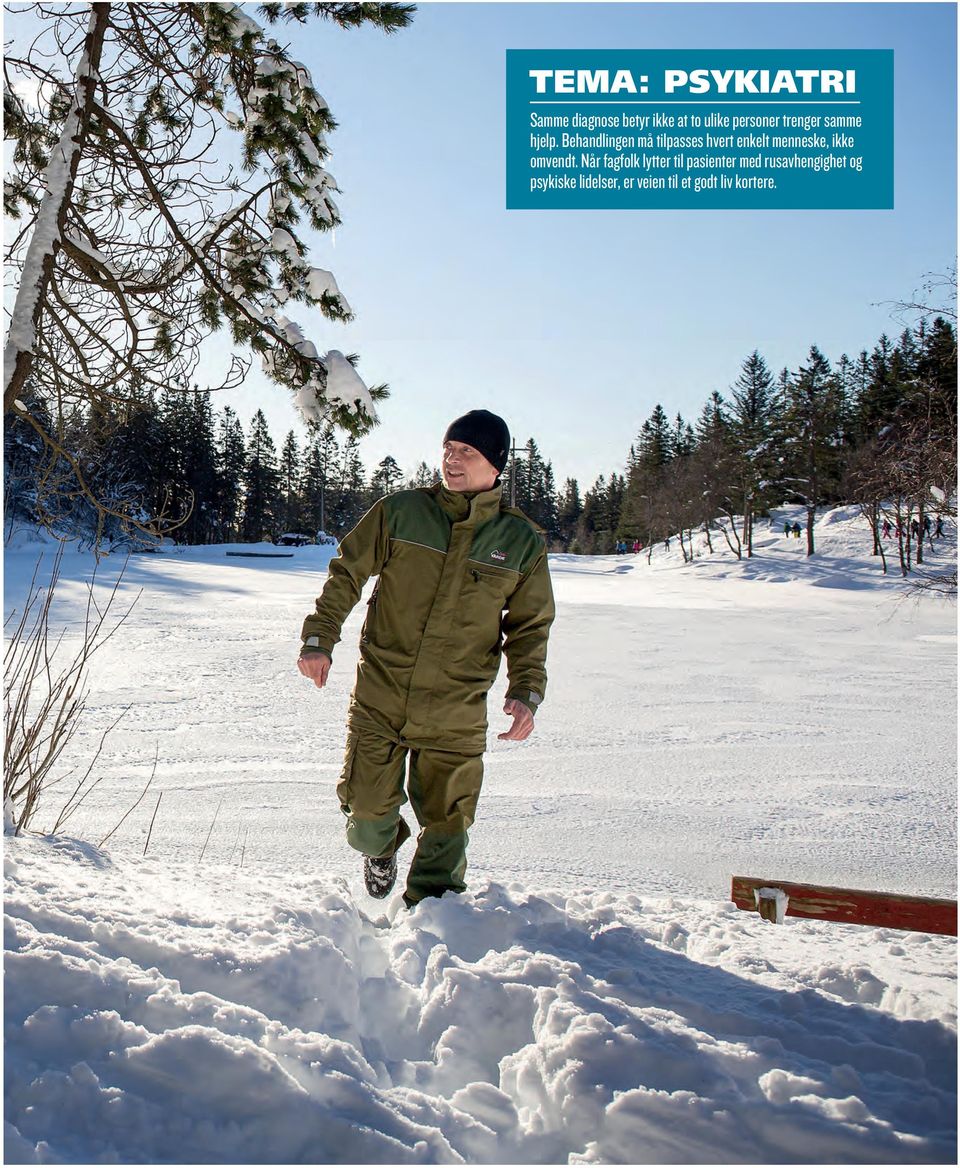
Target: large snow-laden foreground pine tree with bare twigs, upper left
[{"x": 134, "y": 221}]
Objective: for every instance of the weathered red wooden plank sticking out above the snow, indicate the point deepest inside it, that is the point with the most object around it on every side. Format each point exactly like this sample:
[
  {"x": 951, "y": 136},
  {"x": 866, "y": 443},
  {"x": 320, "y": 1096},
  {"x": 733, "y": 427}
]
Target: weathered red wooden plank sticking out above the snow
[{"x": 853, "y": 907}]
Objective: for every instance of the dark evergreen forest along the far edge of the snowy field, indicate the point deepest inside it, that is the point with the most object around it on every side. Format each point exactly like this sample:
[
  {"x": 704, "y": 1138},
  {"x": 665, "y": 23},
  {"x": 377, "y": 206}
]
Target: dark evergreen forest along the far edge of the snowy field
[{"x": 879, "y": 430}]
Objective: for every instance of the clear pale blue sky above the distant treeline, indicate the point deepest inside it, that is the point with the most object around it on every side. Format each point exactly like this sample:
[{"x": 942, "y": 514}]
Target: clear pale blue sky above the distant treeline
[{"x": 574, "y": 324}]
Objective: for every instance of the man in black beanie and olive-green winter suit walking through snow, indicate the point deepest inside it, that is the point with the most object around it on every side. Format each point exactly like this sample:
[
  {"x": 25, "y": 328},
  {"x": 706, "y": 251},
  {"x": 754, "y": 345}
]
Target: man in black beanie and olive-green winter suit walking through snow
[{"x": 462, "y": 579}]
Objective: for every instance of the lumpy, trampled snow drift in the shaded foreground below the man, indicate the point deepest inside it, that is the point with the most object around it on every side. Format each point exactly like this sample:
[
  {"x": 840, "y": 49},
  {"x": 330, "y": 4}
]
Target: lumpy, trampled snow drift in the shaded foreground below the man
[{"x": 162, "y": 1013}]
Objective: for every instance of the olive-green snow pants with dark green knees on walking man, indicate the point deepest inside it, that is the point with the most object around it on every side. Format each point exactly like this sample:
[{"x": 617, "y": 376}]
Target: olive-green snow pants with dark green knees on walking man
[{"x": 444, "y": 788}]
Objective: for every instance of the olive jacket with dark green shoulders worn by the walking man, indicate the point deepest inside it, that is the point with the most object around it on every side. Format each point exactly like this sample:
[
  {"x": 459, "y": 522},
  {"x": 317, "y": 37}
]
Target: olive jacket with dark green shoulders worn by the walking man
[{"x": 462, "y": 579}]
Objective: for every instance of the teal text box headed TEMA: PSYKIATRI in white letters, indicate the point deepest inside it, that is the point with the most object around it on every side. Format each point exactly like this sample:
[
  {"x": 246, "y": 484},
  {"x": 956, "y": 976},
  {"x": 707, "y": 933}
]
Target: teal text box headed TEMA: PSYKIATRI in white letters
[{"x": 709, "y": 130}]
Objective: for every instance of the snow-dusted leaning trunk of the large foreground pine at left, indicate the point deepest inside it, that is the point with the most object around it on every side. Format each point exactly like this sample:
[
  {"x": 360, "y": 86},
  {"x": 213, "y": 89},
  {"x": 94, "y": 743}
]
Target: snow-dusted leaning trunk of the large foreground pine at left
[{"x": 52, "y": 218}]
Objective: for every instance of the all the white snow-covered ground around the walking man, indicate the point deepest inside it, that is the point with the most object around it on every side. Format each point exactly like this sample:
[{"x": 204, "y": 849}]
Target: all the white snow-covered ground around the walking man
[{"x": 595, "y": 998}]
